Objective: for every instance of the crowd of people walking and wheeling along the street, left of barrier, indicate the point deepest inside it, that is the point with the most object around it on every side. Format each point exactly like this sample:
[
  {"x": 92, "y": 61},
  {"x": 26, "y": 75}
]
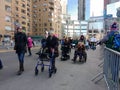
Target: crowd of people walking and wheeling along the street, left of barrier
[{"x": 23, "y": 44}]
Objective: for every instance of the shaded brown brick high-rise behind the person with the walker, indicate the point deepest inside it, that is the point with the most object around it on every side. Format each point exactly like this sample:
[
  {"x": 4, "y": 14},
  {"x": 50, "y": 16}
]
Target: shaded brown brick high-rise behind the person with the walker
[{"x": 46, "y": 16}]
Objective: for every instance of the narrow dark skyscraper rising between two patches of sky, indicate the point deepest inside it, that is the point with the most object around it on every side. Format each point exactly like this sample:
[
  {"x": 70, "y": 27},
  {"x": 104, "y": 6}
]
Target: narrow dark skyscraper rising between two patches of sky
[{"x": 81, "y": 9}]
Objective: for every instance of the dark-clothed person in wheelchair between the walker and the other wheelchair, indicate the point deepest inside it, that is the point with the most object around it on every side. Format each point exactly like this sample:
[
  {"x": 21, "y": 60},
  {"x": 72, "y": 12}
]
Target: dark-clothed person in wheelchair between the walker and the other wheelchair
[{"x": 65, "y": 47}]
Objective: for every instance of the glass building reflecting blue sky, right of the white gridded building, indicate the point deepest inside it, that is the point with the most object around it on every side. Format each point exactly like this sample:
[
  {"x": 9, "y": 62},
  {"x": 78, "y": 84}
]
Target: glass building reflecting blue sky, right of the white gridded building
[{"x": 96, "y": 27}]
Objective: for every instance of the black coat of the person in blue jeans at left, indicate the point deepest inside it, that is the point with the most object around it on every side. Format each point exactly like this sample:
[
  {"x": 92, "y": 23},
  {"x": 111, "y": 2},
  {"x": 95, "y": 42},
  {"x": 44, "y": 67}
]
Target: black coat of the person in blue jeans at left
[{"x": 20, "y": 42}]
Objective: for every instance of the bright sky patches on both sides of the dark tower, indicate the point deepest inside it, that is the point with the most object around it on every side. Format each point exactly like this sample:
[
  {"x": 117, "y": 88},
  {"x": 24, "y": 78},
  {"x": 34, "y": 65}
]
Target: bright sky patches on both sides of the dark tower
[{"x": 96, "y": 8}]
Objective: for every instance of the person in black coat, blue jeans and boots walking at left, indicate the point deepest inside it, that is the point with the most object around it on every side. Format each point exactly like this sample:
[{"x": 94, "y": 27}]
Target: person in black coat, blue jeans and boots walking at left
[{"x": 20, "y": 47}]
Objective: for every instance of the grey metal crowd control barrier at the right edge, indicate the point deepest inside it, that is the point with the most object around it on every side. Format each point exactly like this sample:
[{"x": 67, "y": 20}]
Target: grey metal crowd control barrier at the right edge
[{"x": 111, "y": 69}]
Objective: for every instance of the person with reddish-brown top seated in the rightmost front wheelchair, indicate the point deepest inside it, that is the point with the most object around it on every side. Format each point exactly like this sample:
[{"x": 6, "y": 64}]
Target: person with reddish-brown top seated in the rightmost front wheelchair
[{"x": 79, "y": 51}]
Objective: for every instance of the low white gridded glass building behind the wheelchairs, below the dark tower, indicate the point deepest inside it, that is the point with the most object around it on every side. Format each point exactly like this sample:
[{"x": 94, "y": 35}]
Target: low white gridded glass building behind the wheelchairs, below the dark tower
[{"x": 75, "y": 28}]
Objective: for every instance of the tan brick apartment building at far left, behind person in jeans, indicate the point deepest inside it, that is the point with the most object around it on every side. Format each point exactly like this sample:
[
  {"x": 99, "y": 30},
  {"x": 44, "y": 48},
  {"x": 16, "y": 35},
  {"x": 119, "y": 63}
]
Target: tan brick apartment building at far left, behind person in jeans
[{"x": 15, "y": 13}]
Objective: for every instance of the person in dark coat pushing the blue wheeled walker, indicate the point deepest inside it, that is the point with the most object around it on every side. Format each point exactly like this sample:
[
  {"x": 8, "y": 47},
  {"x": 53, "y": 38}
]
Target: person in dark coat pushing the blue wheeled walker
[{"x": 52, "y": 45}]
